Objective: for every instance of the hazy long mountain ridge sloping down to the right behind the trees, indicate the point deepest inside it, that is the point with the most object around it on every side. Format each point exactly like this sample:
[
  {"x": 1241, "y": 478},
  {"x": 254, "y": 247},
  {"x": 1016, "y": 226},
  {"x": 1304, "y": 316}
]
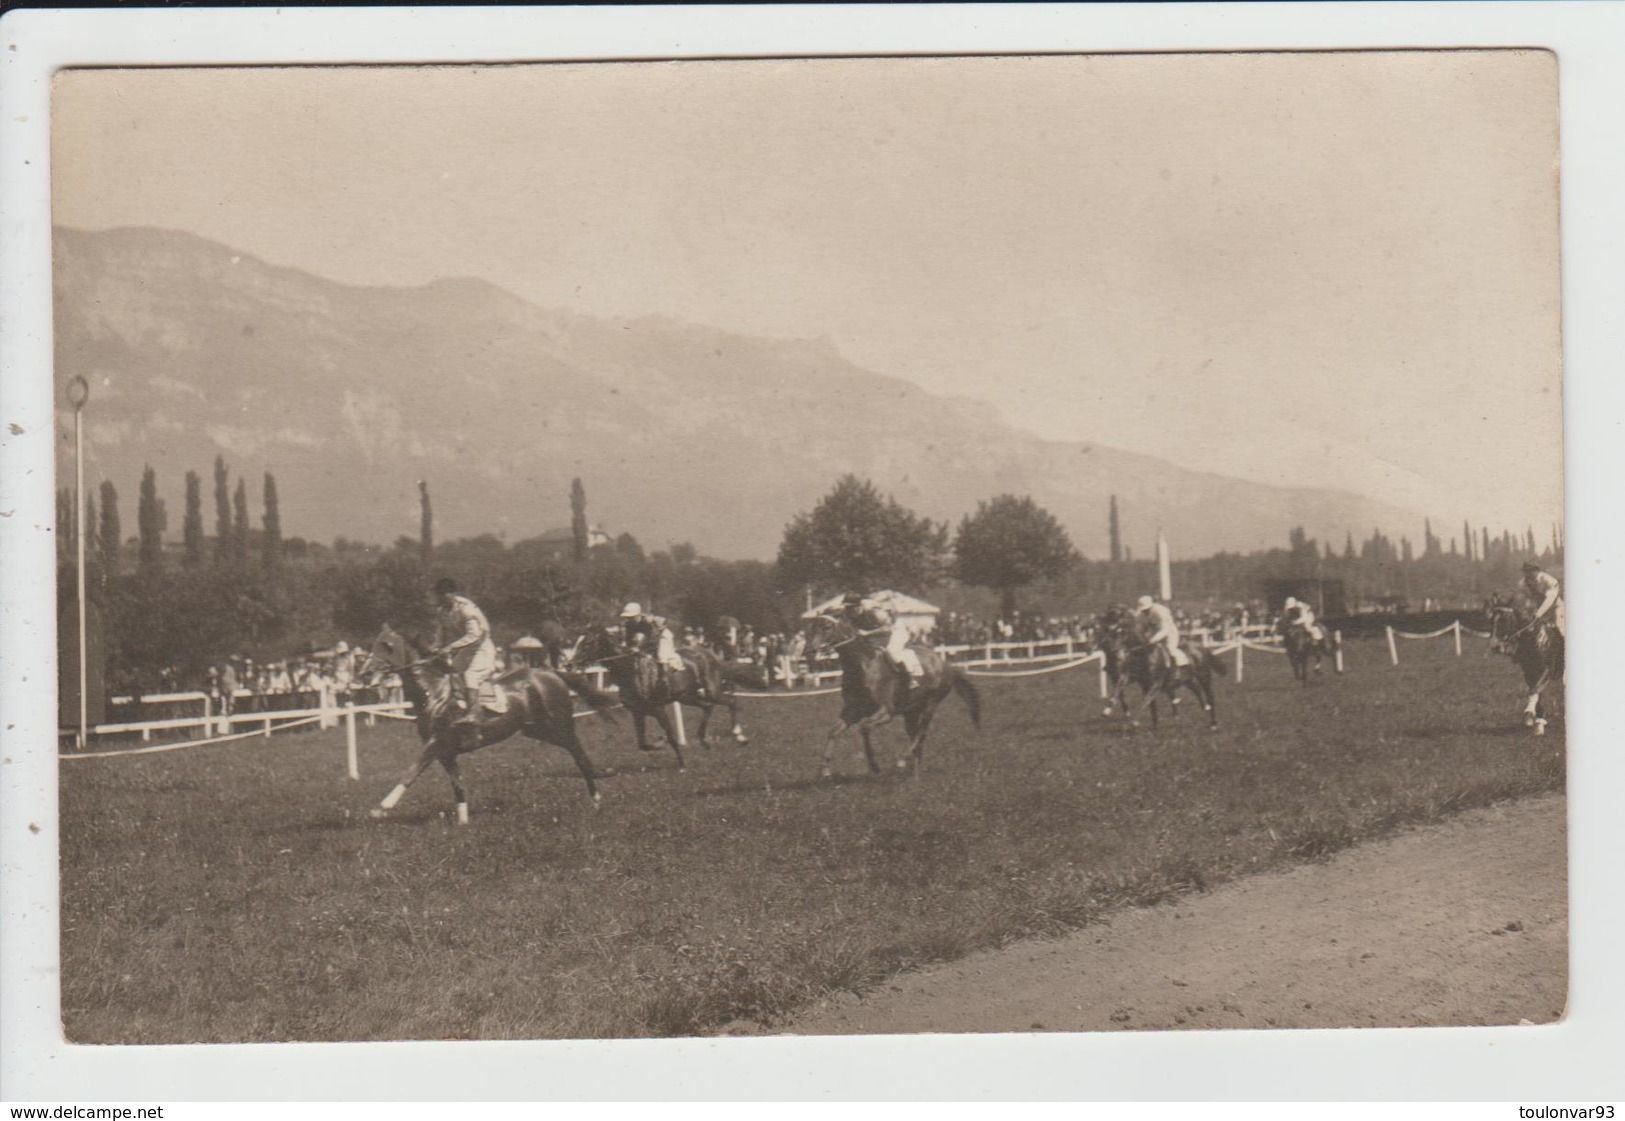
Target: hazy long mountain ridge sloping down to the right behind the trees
[{"x": 680, "y": 433}]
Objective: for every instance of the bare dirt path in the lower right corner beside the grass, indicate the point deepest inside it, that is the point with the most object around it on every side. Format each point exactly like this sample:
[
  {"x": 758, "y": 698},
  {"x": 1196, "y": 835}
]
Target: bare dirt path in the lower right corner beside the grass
[{"x": 1462, "y": 924}]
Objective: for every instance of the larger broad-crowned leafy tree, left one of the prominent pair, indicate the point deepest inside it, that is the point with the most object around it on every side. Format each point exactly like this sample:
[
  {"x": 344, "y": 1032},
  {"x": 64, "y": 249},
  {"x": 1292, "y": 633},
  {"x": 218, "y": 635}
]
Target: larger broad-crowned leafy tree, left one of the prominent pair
[{"x": 859, "y": 540}]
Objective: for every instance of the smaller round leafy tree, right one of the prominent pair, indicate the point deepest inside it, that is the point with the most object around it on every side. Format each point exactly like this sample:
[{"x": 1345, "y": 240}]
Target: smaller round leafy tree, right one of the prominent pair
[{"x": 1008, "y": 543}]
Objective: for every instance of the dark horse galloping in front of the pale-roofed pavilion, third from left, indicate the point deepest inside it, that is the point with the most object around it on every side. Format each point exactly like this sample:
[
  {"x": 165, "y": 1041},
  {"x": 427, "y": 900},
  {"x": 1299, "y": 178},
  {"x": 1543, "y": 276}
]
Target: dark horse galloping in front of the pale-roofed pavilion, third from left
[{"x": 872, "y": 690}]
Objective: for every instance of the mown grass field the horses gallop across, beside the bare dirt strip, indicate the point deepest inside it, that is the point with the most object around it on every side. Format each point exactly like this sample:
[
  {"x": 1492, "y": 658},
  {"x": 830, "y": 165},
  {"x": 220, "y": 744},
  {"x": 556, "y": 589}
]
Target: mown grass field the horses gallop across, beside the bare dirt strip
[{"x": 240, "y": 893}]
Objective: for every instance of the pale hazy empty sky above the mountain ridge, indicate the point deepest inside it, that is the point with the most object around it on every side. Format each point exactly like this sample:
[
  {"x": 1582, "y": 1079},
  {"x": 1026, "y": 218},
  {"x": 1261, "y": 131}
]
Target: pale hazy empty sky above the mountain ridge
[{"x": 1325, "y": 269}]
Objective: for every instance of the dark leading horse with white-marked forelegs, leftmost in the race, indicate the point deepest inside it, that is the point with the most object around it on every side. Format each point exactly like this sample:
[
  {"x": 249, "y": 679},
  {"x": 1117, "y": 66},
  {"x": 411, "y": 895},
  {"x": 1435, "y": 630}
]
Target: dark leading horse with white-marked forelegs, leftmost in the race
[{"x": 537, "y": 704}]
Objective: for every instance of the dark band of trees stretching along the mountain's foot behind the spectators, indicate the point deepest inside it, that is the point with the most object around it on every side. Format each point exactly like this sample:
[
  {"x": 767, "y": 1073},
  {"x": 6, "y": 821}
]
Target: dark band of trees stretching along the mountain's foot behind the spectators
[{"x": 254, "y": 592}]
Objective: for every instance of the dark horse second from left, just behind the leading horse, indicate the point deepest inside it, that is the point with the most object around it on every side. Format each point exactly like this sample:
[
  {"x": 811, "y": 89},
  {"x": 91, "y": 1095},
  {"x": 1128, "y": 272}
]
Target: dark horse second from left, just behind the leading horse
[{"x": 703, "y": 685}]
